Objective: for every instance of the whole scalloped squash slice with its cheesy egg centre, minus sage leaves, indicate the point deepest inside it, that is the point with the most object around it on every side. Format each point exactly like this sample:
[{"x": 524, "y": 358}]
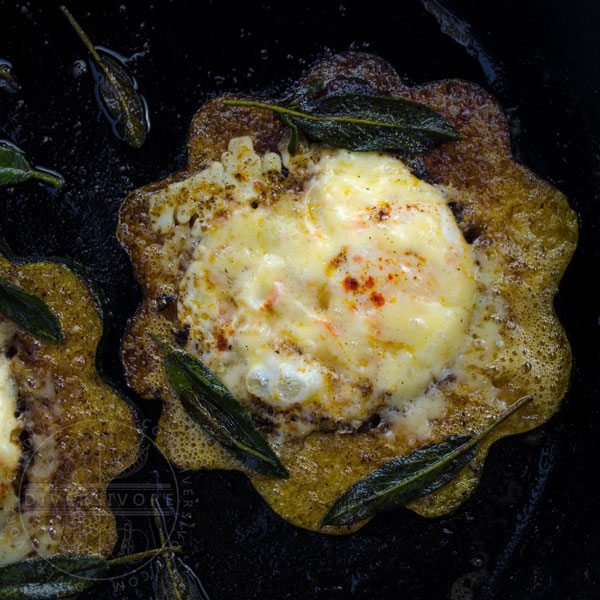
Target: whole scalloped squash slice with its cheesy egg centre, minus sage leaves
[{"x": 359, "y": 312}]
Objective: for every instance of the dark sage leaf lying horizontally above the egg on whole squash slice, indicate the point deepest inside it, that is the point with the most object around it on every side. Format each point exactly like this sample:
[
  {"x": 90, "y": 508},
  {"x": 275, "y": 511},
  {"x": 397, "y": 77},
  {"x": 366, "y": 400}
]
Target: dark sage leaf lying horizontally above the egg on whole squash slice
[{"x": 361, "y": 122}]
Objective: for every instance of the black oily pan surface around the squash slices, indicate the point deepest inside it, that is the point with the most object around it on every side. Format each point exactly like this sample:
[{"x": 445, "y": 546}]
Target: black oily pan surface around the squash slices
[{"x": 531, "y": 530}]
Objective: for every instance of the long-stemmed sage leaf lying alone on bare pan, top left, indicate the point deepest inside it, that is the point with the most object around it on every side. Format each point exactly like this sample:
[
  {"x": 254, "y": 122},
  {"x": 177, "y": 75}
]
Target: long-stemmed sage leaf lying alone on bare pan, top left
[{"x": 118, "y": 91}]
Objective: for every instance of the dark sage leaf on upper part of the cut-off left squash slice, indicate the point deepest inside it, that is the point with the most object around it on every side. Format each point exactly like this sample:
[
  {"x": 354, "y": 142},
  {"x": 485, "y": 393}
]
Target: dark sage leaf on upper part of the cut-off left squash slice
[{"x": 29, "y": 311}]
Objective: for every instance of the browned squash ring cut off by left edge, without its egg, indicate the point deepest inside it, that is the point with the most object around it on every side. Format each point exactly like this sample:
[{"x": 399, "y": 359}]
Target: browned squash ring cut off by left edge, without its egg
[{"x": 77, "y": 433}]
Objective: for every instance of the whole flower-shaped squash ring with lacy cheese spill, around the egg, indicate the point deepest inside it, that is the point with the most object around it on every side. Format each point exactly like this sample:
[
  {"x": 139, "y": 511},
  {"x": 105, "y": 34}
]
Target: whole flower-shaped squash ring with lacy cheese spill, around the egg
[{"x": 519, "y": 228}]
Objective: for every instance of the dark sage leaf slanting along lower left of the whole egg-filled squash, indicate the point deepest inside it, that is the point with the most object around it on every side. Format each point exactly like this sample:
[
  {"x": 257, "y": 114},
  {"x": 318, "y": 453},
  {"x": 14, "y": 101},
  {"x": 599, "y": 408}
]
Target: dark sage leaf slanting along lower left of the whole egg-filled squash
[{"x": 215, "y": 409}]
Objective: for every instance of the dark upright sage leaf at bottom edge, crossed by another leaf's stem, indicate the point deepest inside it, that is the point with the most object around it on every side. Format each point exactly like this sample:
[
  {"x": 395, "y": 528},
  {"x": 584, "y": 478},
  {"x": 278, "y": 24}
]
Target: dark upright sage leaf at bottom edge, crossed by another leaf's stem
[{"x": 174, "y": 580}]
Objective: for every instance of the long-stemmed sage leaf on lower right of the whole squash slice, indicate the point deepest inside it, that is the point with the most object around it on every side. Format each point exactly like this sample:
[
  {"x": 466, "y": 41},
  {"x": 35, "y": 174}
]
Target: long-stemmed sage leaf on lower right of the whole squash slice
[{"x": 409, "y": 477}]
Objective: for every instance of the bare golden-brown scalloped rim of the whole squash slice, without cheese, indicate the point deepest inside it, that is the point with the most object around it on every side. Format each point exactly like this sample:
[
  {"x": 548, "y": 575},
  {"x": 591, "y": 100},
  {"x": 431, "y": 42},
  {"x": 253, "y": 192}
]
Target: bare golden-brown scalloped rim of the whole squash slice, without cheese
[{"x": 506, "y": 212}]
